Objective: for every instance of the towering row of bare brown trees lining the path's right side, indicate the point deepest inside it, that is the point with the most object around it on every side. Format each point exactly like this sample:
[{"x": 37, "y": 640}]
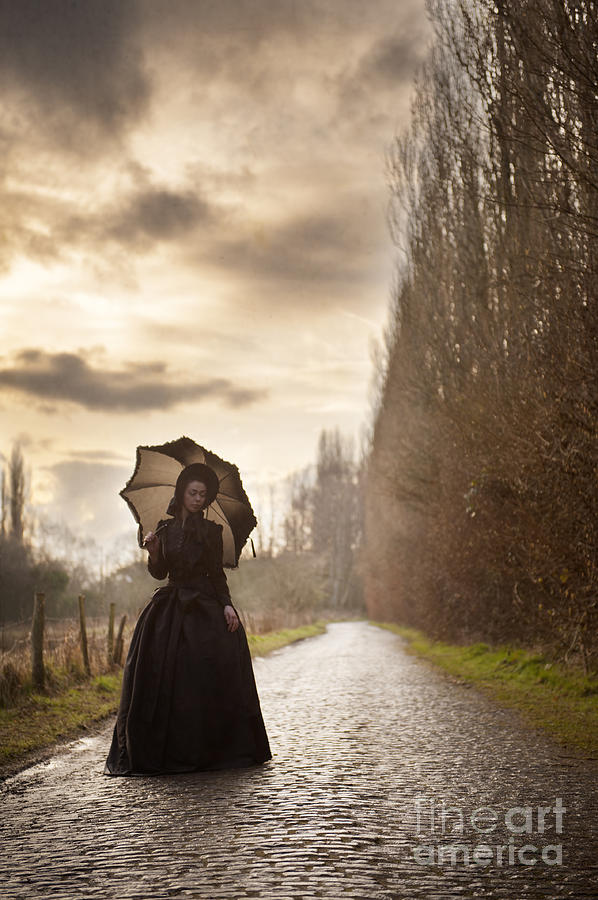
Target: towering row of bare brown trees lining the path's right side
[{"x": 482, "y": 491}]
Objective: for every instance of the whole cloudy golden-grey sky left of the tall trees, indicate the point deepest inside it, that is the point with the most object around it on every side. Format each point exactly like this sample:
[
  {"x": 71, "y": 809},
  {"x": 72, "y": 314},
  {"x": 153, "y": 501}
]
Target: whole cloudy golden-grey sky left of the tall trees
[{"x": 193, "y": 232}]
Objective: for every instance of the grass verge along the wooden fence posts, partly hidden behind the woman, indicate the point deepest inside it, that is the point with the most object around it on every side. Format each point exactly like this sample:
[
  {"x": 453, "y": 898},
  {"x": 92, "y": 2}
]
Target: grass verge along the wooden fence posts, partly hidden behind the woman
[{"x": 38, "y": 721}]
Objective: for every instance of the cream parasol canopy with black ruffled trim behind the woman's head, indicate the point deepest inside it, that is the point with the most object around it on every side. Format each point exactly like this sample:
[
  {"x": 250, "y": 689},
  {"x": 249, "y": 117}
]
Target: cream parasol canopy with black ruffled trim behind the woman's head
[{"x": 151, "y": 487}]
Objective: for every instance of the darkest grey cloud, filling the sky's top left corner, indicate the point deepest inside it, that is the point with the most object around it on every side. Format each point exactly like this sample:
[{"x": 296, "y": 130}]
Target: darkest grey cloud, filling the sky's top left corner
[{"x": 75, "y": 61}]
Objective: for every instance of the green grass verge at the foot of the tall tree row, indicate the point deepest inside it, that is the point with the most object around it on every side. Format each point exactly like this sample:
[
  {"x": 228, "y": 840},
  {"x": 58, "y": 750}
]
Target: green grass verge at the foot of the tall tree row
[{"x": 559, "y": 700}]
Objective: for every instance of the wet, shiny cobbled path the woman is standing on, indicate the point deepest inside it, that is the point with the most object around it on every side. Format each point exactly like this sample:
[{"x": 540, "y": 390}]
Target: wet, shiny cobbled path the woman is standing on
[{"x": 363, "y": 737}]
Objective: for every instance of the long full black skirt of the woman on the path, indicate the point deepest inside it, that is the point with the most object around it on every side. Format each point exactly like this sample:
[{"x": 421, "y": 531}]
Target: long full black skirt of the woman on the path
[{"x": 189, "y": 700}]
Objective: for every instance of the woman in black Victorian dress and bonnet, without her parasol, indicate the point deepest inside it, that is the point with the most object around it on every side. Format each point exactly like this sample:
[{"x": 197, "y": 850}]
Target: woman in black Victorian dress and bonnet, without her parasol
[{"x": 188, "y": 699}]
